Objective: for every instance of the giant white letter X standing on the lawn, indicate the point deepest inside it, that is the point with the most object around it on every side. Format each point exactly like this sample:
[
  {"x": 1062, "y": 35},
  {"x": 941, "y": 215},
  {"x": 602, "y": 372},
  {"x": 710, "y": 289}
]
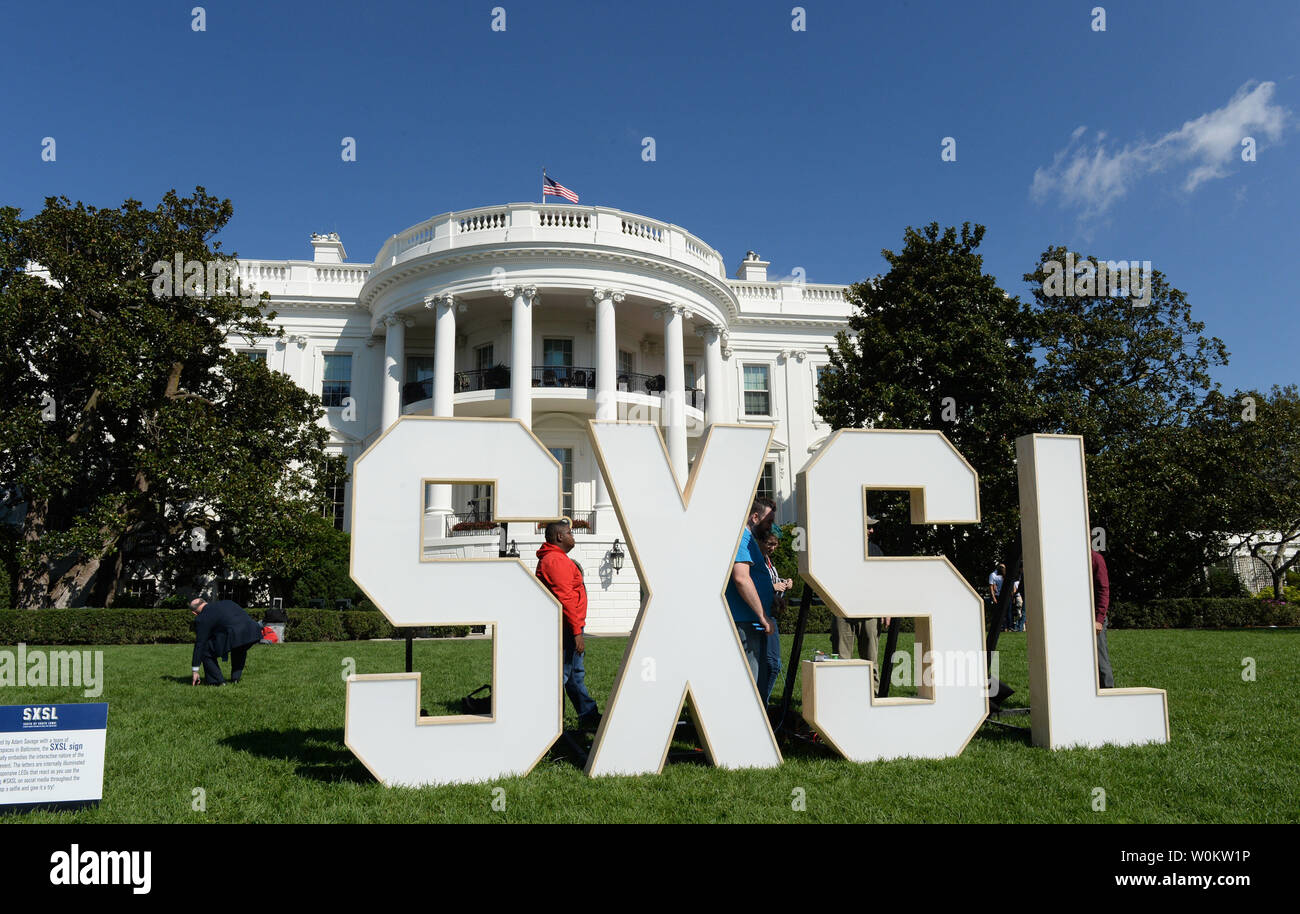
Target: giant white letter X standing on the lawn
[{"x": 684, "y": 642}]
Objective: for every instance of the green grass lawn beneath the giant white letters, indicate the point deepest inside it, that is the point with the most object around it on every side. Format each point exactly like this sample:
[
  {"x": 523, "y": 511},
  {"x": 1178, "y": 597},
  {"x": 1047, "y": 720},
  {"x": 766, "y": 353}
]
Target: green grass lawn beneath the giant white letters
[{"x": 271, "y": 750}]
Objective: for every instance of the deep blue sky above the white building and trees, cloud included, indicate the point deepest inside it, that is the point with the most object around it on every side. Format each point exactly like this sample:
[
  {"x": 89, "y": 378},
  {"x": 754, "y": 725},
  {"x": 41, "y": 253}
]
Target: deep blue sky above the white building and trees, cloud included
[{"x": 813, "y": 148}]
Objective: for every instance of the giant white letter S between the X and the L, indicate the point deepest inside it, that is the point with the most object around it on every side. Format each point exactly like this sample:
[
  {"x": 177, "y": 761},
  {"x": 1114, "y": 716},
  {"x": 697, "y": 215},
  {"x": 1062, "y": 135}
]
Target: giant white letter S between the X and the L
[{"x": 950, "y": 614}]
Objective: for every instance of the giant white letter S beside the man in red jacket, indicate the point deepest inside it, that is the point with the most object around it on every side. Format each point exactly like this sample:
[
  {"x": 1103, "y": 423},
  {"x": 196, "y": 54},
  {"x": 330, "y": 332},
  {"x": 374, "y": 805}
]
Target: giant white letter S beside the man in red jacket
[{"x": 384, "y": 725}]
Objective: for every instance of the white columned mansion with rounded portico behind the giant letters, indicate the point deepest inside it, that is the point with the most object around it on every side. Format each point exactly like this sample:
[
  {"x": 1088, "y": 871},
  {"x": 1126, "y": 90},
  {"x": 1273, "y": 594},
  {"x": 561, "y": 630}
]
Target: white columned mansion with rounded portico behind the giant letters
[{"x": 553, "y": 315}]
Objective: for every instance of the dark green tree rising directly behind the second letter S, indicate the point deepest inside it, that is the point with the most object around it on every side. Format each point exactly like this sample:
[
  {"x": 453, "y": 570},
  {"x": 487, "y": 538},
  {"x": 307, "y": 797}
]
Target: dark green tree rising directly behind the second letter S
[{"x": 935, "y": 344}]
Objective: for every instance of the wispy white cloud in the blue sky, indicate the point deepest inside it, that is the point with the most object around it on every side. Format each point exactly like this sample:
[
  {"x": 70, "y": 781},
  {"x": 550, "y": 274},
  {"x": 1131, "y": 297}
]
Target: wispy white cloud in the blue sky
[{"x": 1093, "y": 179}]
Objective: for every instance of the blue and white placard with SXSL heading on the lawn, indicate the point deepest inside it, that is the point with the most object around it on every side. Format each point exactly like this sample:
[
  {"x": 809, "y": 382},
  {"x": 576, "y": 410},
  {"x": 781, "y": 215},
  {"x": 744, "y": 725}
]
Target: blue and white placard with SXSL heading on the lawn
[{"x": 51, "y": 756}]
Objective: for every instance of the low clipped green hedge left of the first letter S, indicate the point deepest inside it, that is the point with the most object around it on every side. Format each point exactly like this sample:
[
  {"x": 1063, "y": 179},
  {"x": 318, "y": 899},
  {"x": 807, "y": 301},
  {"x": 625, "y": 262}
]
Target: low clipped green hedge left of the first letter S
[{"x": 162, "y": 627}]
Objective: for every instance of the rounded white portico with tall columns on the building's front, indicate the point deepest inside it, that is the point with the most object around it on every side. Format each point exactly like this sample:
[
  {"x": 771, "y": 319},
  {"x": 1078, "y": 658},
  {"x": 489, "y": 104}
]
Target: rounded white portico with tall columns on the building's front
[{"x": 596, "y": 324}]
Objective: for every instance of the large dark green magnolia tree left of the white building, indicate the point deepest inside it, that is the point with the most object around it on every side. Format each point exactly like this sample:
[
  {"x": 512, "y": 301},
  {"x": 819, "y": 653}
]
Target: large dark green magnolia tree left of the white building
[{"x": 132, "y": 439}]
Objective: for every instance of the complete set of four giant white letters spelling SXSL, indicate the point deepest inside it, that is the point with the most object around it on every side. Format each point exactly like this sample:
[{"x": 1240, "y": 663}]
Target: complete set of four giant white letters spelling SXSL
[{"x": 683, "y": 542}]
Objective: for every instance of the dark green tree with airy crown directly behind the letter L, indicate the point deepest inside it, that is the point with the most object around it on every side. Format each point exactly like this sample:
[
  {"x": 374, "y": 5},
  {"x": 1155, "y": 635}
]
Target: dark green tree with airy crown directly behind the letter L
[{"x": 1134, "y": 380}]
